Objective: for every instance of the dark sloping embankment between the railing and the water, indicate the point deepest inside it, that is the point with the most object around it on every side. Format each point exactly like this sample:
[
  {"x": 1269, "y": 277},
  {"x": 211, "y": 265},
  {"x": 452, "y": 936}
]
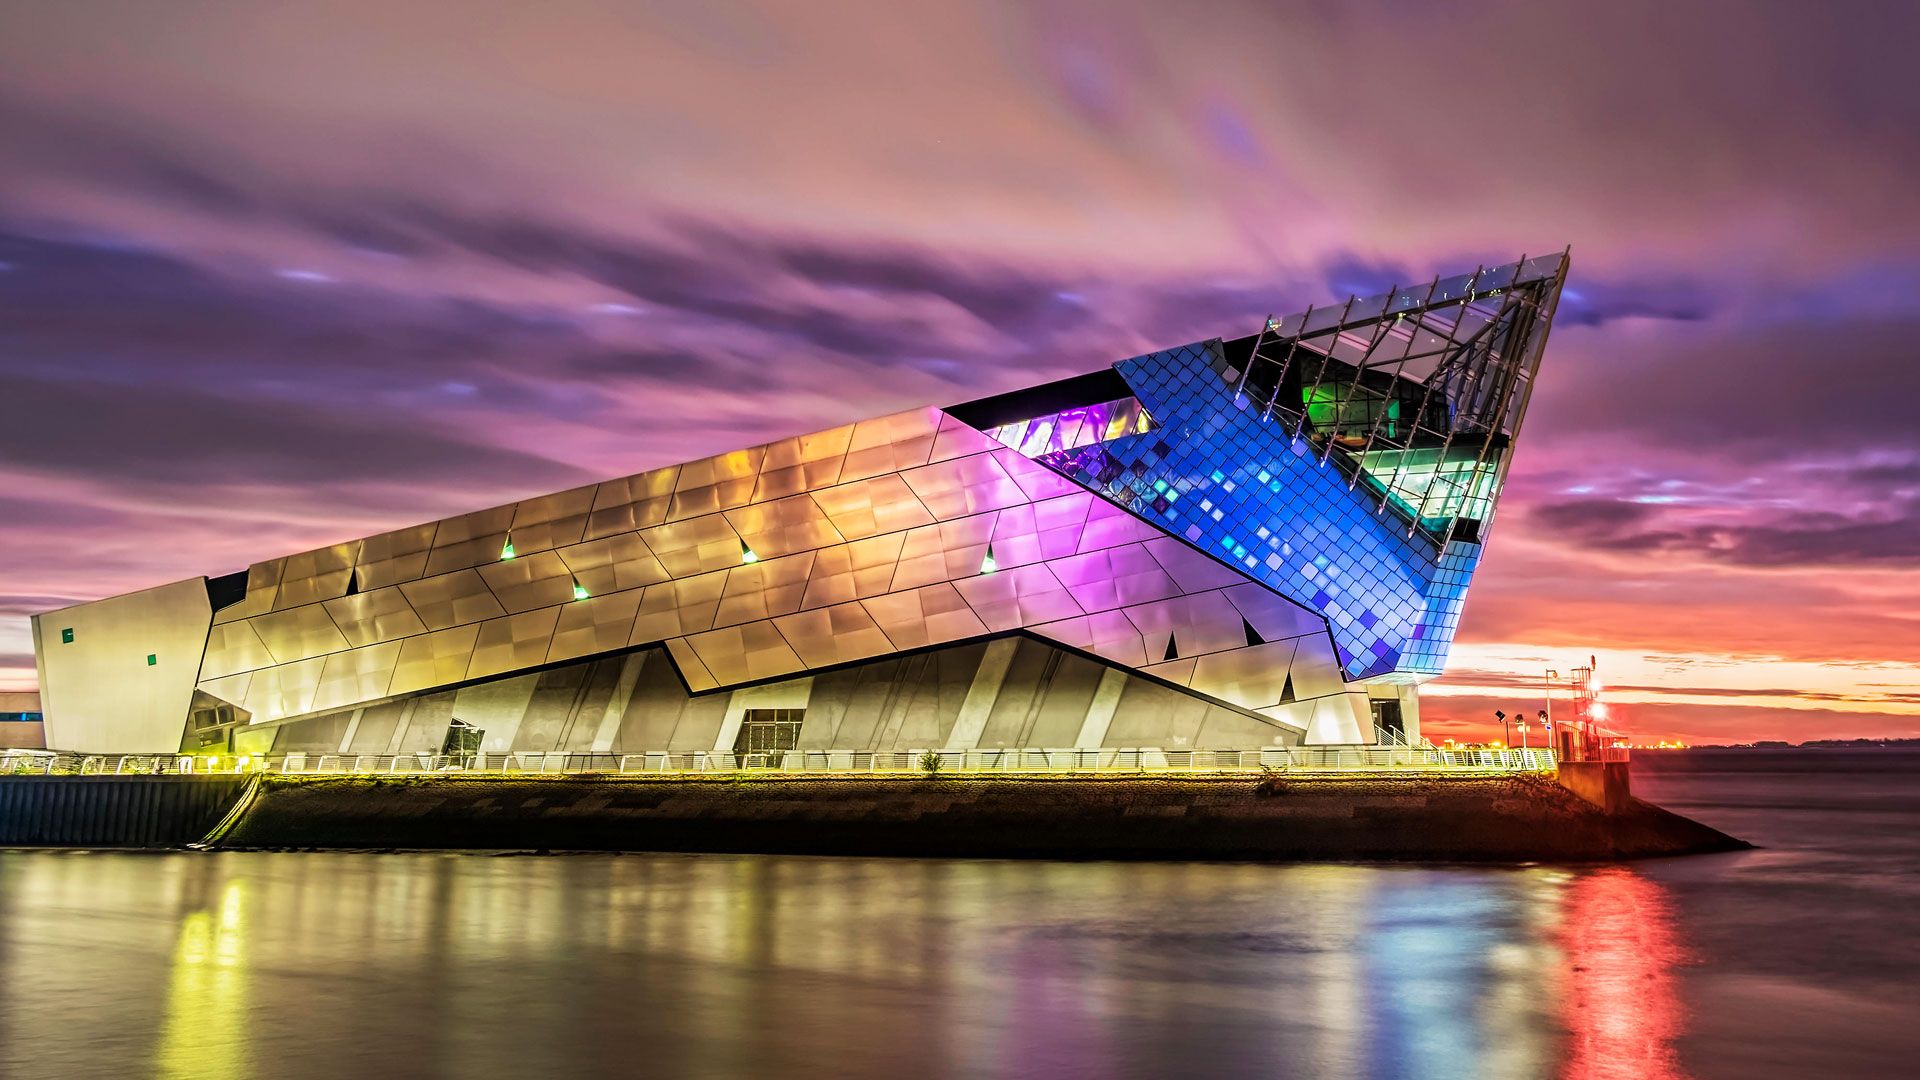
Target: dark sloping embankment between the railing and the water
[{"x": 1130, "y": 818}]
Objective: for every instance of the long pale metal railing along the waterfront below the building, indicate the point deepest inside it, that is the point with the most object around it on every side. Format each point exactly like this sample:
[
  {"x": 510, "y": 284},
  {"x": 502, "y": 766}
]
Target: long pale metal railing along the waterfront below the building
[{"x": 792, "y": 762}]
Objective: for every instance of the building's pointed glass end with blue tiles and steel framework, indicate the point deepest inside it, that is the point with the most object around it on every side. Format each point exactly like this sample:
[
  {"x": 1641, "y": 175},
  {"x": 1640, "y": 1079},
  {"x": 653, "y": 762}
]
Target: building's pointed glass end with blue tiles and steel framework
[{"x": 1347, "y": 458}]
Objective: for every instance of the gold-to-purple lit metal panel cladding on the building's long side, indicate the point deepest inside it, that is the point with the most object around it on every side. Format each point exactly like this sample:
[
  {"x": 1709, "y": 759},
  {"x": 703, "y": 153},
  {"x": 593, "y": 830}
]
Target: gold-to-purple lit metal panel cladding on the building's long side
[{"x": 959, "y": 541}]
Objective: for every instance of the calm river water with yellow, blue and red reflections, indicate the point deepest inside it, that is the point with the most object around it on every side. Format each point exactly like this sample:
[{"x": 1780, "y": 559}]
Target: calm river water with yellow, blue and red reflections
[{"x": 1798, "y": 960}]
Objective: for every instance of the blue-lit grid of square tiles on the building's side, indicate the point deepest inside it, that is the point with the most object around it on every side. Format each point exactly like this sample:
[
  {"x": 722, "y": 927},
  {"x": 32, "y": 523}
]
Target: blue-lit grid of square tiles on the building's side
[{"x": 1237, "y": 487}]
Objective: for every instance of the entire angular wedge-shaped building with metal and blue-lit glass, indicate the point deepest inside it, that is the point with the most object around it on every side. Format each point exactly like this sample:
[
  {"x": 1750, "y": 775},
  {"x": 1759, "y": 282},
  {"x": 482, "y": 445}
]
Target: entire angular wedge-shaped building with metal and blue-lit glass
[{"x": 1243, "y": 543}]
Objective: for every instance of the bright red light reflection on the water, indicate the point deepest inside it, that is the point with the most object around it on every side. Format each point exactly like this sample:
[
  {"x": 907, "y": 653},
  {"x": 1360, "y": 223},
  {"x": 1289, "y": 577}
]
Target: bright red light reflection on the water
[{"x": 1620, "y": 1004}]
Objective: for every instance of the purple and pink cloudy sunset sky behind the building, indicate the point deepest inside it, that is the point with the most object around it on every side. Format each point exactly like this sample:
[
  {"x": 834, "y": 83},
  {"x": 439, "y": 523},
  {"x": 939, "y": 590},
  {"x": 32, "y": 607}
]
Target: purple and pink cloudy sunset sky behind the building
[{"x": 277, "y": 278}]
